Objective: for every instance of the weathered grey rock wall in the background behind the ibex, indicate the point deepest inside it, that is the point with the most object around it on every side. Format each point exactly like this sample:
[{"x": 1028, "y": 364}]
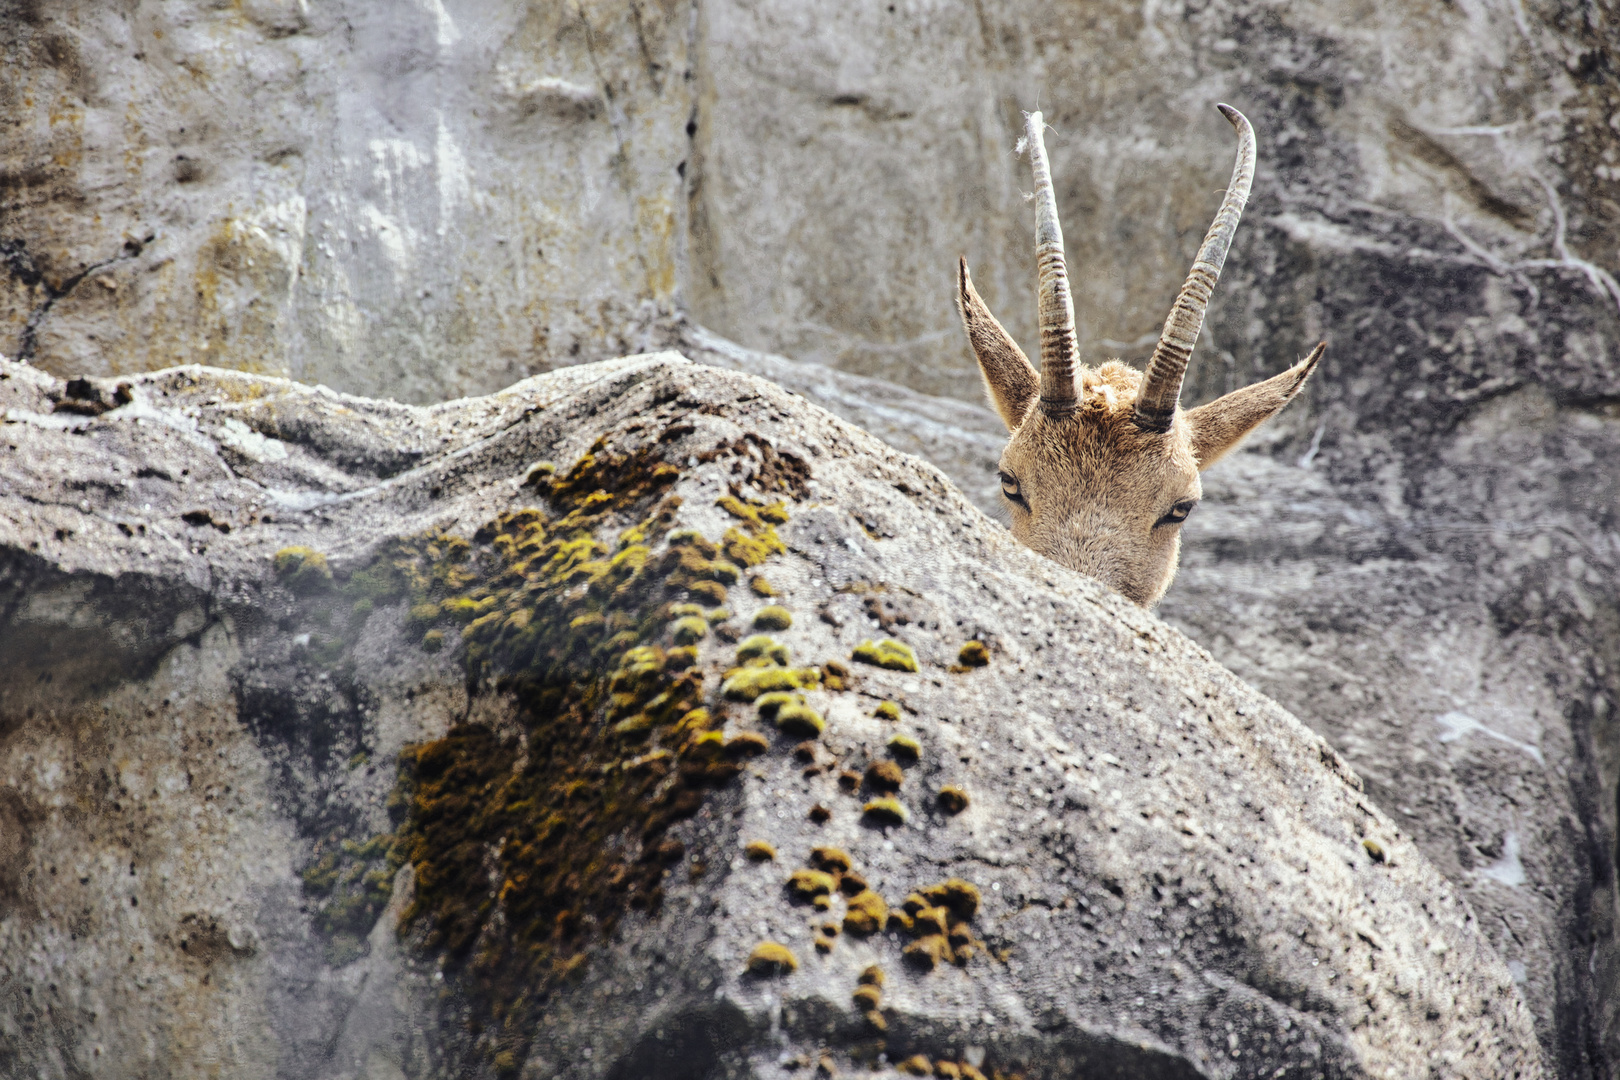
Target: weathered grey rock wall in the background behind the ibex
[{"x": 435, "y": 200}]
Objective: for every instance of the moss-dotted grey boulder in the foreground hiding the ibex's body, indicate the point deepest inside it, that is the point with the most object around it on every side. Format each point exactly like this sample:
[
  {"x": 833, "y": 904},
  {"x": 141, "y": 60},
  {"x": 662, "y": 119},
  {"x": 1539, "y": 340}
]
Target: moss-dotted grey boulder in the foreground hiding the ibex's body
[{"x": 586, "y": 731}]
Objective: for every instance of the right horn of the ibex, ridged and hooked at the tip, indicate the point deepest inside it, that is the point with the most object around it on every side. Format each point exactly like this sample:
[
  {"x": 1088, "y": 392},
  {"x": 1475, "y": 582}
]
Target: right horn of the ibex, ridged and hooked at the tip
[{"x": 1156, "y": 402}]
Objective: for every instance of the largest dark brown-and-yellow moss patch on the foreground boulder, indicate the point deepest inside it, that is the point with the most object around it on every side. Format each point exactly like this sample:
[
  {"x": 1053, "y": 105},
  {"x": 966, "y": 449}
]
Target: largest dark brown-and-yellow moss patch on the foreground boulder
[{"x": 534, "y": 843}]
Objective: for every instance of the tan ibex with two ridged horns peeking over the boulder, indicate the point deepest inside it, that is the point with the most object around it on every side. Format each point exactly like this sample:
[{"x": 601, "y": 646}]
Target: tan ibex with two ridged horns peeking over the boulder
[{"x": 1102, "y": 466}]
